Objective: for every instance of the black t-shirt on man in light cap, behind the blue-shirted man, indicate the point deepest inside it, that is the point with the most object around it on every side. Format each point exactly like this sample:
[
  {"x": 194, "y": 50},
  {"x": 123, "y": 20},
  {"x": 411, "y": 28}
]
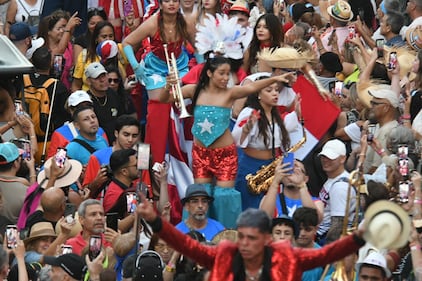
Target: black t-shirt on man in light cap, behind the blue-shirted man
[{"x": 107, "y": 110}]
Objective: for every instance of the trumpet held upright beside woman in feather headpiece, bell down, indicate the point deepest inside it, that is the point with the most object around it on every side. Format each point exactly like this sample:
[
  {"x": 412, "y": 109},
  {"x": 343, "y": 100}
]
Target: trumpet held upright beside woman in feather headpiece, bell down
[{"x": 175, "y": 89}]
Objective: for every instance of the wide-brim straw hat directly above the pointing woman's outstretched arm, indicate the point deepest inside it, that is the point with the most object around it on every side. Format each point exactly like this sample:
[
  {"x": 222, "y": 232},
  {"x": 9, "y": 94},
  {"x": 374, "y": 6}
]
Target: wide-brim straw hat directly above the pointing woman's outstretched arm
[{"x": 284, "y": 57}]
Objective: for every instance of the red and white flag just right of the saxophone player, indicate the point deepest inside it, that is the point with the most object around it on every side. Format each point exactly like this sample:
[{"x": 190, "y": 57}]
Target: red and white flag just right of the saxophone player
[{"x": 318, "y": 116}]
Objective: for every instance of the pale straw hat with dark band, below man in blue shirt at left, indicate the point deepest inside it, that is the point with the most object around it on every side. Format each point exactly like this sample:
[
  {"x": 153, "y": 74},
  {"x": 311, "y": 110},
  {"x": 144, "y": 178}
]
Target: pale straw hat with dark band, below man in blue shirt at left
[{"x": 71, "y": 171}]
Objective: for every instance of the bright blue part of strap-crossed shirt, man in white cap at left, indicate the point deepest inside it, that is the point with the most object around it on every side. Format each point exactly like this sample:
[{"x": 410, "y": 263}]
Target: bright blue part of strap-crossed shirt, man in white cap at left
[{"x": 80, "y": 153}]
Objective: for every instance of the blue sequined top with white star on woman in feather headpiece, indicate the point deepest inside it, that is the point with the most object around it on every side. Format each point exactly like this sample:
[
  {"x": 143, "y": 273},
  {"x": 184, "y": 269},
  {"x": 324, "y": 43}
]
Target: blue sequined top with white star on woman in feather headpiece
[{"x": 210, "y": 122}]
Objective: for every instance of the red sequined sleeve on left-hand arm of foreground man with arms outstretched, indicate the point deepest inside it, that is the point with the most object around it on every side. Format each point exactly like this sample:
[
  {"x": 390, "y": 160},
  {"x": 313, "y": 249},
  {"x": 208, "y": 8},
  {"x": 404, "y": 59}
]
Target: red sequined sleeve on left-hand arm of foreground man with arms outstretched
[{"x": 203, "y": 254}]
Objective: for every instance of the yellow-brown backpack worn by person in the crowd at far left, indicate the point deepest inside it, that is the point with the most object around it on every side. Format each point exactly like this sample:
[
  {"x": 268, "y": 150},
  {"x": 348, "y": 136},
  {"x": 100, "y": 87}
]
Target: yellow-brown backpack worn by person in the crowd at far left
[{"x": 37, "y": 103}]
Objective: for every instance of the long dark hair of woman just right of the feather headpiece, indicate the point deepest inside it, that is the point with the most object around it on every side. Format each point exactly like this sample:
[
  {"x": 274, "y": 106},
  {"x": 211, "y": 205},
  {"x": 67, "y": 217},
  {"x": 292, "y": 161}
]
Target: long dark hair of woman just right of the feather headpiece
[{"x": 277, "y": 37}]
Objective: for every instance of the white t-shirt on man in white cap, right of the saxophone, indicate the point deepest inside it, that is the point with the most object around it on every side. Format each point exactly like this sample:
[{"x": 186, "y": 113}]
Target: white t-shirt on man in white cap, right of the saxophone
[{"x": 334, "y": 196}]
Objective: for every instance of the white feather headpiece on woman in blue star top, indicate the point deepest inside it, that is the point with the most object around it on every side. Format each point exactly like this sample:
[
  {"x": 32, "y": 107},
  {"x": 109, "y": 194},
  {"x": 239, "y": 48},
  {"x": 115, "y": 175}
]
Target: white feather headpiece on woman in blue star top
[{"x": 221, "y": 35}]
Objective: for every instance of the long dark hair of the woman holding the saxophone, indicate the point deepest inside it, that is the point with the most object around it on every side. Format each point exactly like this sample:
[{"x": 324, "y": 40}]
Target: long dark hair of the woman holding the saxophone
[{"x": 263, "y": 122}]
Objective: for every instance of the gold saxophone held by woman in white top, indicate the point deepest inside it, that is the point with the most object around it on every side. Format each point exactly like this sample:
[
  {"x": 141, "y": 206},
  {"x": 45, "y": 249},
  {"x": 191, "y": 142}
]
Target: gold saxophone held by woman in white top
[{"x": 261, "y": 181}]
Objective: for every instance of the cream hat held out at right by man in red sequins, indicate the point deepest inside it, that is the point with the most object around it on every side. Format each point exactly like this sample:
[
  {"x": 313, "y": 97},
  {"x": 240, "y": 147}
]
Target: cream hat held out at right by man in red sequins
[{"x": 387, "y": 225}]
